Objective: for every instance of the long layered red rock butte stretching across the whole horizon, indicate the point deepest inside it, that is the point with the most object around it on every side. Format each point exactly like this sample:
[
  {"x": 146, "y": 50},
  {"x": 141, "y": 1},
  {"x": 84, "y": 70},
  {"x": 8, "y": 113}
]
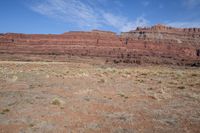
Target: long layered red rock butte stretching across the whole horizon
[{"x": 158, "y": 44}]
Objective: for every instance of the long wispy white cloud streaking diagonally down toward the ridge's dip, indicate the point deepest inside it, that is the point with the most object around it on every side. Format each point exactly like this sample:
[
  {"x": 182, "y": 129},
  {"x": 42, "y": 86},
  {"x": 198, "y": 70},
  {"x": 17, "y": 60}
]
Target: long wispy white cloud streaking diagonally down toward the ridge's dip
[{"x": 86, "y": 14}]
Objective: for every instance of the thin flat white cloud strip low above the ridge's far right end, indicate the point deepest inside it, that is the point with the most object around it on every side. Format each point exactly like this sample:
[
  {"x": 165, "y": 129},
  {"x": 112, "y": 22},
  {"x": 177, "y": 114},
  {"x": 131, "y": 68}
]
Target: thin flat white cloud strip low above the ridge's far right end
[{"x": 184, "y": 24}]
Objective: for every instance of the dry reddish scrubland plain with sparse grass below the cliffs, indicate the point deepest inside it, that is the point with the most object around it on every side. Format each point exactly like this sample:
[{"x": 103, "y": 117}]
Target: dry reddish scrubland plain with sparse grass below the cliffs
[{"x": 78, "y": 97}]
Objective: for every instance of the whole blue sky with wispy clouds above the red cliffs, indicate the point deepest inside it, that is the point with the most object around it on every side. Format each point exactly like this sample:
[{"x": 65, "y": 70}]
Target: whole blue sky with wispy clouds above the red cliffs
[{"x": 58, "y": 16}]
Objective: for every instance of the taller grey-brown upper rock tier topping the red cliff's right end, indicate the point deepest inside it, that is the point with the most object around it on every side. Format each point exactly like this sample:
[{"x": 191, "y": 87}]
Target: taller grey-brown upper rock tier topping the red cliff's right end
[{"x": 160, "y": 33}]
